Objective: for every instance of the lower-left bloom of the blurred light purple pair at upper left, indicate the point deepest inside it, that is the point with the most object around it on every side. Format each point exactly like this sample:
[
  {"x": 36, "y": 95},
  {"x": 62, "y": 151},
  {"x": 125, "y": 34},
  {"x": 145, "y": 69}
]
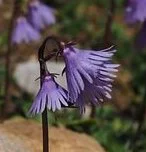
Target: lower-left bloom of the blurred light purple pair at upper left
[{"x": 24, "y": 32}]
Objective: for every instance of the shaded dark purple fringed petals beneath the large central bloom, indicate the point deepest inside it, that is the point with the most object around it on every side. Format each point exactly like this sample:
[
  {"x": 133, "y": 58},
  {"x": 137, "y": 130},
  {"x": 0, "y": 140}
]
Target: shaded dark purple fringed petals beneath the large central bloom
[{"x": 94, "y": 94}]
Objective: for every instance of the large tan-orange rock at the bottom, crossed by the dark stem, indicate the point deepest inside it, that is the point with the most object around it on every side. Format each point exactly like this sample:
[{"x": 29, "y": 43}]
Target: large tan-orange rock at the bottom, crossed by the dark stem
[{"x": 19, "y": 135}]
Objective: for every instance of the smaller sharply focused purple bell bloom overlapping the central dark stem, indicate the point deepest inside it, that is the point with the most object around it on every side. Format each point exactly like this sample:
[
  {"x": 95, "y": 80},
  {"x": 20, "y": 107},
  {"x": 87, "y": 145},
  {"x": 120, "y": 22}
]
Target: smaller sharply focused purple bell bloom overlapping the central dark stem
[{"x": 50, "y": 95}]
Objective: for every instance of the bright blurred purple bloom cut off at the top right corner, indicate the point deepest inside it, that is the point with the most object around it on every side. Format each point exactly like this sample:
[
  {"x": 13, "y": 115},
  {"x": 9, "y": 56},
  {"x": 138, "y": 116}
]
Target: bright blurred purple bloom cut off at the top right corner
[{"x": 135, "y": 11}]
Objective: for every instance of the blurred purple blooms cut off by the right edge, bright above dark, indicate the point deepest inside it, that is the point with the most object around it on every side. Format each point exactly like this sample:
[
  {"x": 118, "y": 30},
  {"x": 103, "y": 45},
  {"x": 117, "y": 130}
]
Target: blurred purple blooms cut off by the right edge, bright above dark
[{"x": 135, "y": 12}]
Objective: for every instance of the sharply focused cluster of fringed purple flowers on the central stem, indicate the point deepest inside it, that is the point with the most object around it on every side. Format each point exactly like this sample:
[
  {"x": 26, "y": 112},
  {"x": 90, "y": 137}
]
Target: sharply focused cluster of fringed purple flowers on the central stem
[{"x": 89, "y": 75}]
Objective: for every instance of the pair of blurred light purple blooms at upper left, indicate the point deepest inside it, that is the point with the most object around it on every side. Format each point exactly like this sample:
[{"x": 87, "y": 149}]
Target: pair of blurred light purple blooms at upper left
[{"x": 27, "y": 28}]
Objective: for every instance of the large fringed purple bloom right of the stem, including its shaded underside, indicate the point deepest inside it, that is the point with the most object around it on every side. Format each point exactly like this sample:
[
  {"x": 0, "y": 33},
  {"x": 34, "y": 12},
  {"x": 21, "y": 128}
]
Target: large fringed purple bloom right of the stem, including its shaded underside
[{"x": 89, "y": 75}]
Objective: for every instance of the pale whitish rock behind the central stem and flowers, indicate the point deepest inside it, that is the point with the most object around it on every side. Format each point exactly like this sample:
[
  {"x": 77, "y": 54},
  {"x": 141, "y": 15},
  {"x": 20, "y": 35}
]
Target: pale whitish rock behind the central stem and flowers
[{"x": 27, "y": 72}]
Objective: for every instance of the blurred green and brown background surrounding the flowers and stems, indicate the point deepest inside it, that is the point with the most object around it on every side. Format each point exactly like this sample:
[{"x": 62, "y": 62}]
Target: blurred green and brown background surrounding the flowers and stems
[{"x": 120, "y": 124}]
